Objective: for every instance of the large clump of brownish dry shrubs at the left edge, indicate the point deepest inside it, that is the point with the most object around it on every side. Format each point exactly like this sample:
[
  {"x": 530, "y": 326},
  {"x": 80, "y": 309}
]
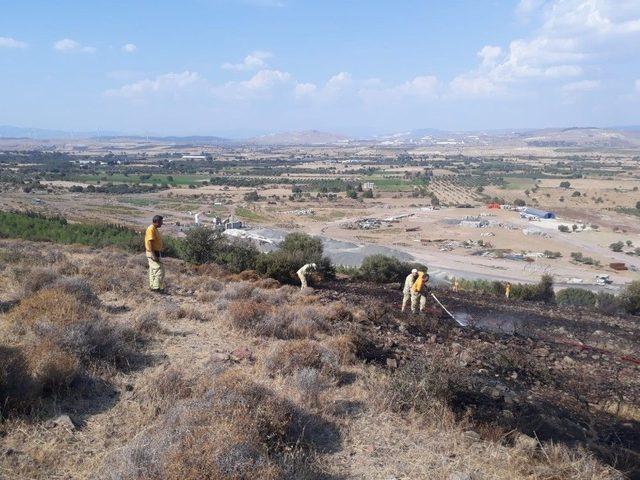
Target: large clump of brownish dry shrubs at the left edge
[{"x": 56, "y": 336}]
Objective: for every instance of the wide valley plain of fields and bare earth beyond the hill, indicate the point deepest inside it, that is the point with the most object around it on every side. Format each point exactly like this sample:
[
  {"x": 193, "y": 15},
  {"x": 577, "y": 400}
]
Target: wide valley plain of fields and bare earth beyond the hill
[{"x": 419, "y": 200}]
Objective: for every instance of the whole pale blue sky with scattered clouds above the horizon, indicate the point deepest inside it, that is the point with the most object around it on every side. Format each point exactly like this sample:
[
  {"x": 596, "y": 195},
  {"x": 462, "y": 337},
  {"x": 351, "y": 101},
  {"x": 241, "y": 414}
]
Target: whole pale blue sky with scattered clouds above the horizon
[{"x": 243, "y": 67}]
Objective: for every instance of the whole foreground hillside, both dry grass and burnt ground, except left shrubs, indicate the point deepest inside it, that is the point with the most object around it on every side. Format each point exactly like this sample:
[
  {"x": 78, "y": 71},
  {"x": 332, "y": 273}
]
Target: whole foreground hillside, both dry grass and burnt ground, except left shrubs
[{"x": 367, "y": 392}]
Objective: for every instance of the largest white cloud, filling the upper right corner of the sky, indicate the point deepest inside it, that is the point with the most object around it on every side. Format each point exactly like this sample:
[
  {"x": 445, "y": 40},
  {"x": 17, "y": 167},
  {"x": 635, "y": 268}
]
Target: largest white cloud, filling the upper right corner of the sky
[{"x": 573, "y": 35}]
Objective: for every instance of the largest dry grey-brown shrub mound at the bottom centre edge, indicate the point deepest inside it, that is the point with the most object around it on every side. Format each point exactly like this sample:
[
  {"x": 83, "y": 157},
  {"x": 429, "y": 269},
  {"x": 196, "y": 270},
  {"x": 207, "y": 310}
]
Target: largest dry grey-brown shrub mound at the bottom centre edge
[{"x": 236, "y": 430}]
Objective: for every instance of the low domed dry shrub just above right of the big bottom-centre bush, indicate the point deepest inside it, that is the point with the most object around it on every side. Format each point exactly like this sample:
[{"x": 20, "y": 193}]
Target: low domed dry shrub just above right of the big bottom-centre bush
[{"x": 289, "y": 357}]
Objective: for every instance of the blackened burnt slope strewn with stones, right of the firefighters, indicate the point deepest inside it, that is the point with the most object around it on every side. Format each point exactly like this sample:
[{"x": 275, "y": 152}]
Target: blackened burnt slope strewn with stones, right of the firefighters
[{"x": 558, "y": 378}]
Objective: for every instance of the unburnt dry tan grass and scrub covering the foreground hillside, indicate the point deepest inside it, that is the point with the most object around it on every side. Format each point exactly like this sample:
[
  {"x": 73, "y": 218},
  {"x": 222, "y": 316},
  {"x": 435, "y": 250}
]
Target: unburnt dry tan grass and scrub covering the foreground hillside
[{"x": 188, "y": 417}]
